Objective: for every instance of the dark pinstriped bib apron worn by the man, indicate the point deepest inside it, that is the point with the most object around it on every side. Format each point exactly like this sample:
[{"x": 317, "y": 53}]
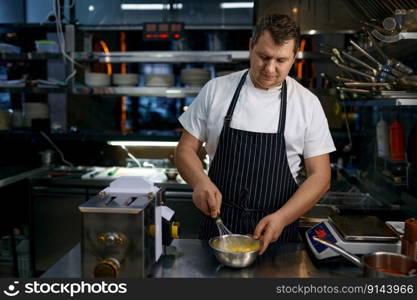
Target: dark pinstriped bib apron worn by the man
[{"x": 251, "y": 171}]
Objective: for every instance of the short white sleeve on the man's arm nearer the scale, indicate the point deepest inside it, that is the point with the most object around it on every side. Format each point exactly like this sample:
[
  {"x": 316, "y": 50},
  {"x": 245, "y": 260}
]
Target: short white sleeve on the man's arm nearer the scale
[{"x": 317, "y": 140}]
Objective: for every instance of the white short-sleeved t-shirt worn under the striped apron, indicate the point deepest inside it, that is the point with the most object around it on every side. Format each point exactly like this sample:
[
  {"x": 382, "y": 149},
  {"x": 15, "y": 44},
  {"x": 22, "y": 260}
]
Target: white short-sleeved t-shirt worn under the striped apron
[{"x": 306, "y": 129}]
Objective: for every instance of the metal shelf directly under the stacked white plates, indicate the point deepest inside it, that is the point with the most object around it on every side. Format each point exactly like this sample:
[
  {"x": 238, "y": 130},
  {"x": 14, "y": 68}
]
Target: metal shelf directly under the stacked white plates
[{"x": 169, "y": 92}]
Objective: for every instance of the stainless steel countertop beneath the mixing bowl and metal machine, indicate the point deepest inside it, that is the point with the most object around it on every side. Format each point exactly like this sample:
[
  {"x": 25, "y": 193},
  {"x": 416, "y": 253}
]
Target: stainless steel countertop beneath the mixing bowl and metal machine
[{"x": 192, "y": 258}]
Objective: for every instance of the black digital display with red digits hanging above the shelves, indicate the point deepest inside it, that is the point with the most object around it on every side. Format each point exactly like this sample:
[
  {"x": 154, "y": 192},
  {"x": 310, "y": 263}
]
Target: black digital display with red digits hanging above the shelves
[{"x": 162, "y": 31}]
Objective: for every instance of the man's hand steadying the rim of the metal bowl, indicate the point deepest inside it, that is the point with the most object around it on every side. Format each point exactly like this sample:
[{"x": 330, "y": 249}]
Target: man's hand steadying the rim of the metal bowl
[{"x": 268, "y": 230}]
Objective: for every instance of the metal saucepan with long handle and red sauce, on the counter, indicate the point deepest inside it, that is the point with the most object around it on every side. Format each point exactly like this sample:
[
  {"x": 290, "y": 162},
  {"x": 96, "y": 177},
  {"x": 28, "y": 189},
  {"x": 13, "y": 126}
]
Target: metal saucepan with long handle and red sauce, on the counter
[{"x": 378, "y": 264}]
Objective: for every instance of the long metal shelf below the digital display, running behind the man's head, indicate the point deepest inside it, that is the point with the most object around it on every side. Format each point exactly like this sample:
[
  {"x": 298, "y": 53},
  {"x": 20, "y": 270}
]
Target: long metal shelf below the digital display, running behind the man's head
[{"x": 175, "y": 56}]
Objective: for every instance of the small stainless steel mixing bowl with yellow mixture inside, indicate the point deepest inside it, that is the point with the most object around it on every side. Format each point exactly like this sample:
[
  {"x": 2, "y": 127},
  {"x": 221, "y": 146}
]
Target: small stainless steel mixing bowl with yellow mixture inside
[{"x": 235, "y": 259}]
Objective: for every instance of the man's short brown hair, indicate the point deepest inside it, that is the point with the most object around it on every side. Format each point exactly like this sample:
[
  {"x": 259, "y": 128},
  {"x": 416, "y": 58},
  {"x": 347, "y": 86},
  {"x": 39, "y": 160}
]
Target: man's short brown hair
[{"x": 281, "y": 27}]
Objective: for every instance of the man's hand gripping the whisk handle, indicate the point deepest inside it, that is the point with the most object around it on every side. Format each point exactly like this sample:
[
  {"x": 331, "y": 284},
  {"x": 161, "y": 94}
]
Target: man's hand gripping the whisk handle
[{"x": 207, "y": 198}]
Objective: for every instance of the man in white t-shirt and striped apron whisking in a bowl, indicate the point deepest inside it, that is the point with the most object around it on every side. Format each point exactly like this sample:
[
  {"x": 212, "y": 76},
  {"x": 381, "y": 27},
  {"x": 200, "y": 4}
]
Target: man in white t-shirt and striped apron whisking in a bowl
[{"x": 257, "y": 125}]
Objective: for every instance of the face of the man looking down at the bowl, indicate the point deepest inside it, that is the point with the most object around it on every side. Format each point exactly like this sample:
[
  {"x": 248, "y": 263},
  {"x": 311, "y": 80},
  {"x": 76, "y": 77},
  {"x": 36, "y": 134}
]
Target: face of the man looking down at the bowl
[{"x": 269, "y": 62}]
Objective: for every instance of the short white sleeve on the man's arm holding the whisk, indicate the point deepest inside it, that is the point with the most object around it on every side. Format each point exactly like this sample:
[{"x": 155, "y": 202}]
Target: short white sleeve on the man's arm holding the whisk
[{"x": 194, "y": 119}]
